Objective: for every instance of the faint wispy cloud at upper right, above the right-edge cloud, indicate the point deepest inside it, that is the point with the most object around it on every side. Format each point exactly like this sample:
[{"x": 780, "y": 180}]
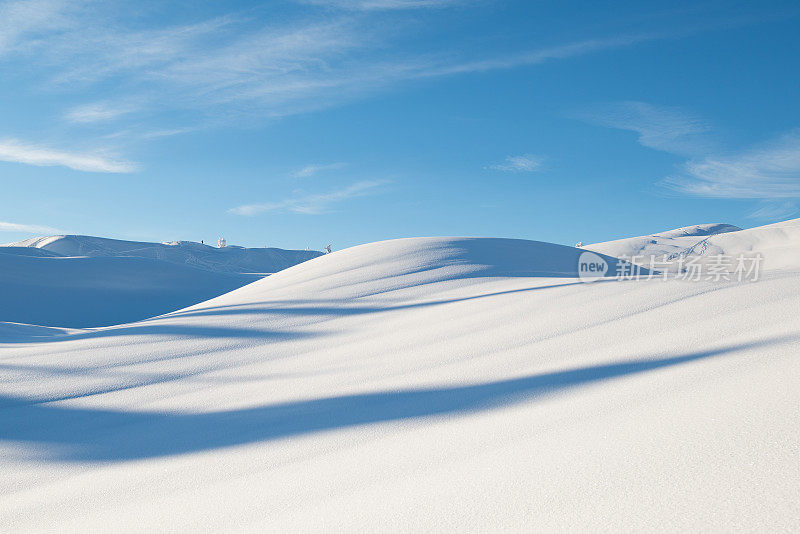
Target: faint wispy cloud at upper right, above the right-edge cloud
[{"x": 661, "y": 128}]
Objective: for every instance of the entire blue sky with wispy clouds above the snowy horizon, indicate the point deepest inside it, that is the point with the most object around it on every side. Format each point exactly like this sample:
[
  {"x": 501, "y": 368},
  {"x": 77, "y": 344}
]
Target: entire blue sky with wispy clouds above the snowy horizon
[{"x": 306, "y": 122}]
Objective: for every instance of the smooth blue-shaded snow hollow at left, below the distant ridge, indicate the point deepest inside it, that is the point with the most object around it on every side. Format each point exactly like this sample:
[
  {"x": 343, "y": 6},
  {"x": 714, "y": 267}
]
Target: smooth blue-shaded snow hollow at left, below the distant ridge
[{"x": 99, "y": 291}]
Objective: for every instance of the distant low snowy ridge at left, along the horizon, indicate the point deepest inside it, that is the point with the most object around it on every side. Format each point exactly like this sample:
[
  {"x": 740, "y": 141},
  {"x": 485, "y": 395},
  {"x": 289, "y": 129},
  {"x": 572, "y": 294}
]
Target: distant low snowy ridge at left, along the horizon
[{"x": 230, "y": 259}]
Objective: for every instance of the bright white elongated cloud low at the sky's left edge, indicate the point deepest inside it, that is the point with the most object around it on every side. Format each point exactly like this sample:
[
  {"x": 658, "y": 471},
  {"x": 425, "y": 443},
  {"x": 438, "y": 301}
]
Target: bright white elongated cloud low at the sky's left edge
[{"x": 12, "y": 150}]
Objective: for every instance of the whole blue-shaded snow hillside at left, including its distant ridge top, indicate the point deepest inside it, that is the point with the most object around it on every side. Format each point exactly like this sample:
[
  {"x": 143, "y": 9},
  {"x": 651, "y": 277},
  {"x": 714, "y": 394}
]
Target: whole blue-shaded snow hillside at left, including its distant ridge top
[{"x": 83, "y": 281}]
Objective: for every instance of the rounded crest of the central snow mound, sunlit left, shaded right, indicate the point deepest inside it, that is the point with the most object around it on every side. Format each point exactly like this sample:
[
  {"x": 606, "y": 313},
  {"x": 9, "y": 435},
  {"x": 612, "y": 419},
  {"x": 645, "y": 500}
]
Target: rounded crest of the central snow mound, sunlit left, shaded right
[{"x": 415, "y": 262}]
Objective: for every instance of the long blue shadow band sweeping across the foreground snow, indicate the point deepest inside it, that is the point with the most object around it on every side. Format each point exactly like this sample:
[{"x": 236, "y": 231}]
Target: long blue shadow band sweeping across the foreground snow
[{"x": 66, "y": 433}]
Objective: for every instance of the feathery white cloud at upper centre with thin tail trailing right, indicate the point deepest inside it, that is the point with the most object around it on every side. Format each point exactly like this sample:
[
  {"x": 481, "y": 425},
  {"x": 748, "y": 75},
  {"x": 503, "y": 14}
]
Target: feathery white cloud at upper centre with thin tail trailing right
[{"x": 292, "y": 69}]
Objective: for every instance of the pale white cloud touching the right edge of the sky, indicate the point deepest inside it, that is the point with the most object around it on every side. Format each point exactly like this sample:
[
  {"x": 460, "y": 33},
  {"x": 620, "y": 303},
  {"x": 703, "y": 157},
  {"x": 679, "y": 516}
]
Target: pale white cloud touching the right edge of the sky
[{"x": 768, "y": 172}]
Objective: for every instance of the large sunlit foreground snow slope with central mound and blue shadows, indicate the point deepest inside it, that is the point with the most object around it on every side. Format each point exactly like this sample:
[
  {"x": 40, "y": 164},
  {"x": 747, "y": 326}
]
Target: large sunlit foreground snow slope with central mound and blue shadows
[{"x": 420, "y": 384}]
